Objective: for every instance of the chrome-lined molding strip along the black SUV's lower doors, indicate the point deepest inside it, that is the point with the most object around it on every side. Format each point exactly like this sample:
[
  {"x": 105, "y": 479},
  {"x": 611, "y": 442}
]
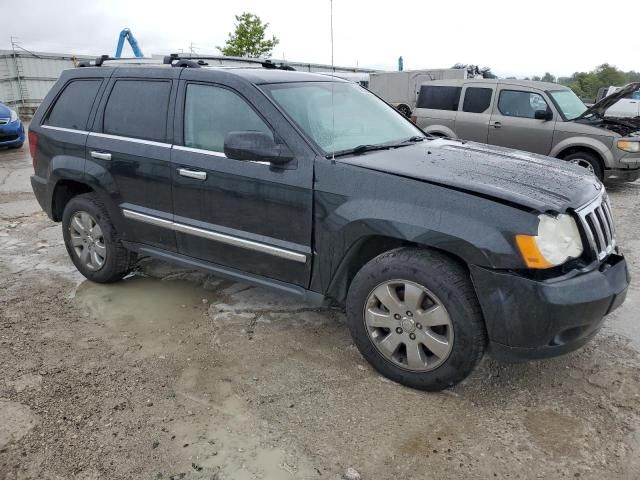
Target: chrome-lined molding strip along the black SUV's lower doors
[{"x": 216, "y": 236}]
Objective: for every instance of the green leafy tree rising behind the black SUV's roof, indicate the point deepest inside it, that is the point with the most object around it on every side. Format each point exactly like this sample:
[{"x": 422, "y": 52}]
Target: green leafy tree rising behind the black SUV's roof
[{"x": 248, "y": 38}]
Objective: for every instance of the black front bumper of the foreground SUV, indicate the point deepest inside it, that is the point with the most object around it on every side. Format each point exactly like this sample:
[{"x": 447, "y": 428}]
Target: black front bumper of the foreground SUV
[{"x": 529, "y": 319}]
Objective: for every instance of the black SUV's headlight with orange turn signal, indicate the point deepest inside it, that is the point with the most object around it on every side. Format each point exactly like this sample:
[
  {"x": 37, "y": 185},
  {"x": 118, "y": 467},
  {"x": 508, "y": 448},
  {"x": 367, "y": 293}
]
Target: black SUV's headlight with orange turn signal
[{"x": 557, "y": 241}]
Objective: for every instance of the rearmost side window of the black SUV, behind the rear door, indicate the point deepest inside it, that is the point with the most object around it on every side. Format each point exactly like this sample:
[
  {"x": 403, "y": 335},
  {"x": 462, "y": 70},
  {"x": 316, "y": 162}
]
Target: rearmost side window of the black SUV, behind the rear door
[{"x": 72, "y": 108}]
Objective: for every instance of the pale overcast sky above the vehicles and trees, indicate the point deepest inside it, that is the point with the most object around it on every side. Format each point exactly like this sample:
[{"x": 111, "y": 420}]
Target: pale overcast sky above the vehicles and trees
[{"x": 512, "y": 37}]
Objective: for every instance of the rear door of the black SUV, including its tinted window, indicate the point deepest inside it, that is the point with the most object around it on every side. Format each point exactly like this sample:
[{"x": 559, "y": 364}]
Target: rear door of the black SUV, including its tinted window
[{"x": 130, "y": 142}]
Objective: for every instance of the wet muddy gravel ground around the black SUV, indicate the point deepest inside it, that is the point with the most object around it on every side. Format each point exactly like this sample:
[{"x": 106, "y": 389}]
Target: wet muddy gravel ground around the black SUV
[{"x": 173, "y": 374}]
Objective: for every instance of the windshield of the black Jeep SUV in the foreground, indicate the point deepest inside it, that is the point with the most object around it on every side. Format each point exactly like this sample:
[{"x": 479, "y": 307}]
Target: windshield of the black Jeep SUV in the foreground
[{"x": 341, "y": 116}]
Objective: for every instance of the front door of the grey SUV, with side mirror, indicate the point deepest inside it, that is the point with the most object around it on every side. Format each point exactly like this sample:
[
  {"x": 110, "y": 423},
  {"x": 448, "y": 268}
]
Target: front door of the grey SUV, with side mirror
[{"x": 513, "y": 124}]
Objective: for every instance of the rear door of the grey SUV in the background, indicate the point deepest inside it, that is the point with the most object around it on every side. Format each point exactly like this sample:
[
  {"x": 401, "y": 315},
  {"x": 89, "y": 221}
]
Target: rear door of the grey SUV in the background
[{"x": 472, "y": 121}]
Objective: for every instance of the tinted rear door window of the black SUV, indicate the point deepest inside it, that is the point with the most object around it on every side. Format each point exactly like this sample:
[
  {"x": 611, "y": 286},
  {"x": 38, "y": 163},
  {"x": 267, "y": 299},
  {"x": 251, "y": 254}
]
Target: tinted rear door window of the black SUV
[{"x": 138, "y": 109}]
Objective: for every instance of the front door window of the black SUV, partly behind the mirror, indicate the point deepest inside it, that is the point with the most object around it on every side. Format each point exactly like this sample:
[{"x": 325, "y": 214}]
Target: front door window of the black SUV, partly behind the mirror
[{"x": 211, "y": 112}]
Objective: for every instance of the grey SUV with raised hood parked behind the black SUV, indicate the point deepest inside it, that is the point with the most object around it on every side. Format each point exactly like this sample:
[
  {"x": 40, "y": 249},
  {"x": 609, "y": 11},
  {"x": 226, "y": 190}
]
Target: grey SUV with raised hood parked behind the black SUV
[{"x": 537, "y": 117}]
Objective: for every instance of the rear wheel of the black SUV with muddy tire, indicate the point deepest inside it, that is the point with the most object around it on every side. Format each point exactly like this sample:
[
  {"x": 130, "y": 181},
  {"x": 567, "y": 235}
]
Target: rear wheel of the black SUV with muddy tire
[{"x": 92, "y": 242}]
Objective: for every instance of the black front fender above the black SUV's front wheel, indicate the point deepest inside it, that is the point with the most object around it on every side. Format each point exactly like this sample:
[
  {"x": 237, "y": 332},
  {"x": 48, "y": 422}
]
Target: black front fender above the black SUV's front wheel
[{"x": 353, "y": 205}]
